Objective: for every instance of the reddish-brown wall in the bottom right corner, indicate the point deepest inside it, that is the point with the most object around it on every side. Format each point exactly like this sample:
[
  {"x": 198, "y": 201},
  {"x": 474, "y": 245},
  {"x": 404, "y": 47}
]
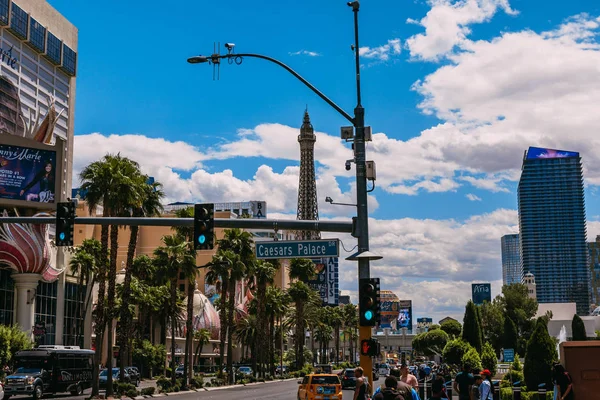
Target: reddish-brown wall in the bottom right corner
[{"x": 582, "y": 361}]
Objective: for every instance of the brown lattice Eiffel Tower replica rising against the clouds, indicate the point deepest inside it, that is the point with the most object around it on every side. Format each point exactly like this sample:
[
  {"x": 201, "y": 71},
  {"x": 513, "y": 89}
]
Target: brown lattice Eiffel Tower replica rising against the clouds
[{"x": 308, "y": 208}]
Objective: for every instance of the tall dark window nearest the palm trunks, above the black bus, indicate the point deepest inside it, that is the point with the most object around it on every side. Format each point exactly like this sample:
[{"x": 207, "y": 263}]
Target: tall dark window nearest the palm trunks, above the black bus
[{"x": 74, "y": 317}]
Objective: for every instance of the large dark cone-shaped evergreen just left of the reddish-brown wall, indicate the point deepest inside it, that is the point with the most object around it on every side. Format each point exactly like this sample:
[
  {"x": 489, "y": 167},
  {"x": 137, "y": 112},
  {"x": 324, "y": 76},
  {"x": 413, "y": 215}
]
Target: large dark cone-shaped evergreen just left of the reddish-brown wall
[{"x": 540, "y": 356}]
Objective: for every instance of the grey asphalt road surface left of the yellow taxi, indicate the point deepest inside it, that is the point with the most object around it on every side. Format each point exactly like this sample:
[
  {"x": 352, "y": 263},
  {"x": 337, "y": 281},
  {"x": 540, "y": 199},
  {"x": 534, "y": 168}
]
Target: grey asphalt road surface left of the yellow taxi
[{"x": 270, "y": 390}]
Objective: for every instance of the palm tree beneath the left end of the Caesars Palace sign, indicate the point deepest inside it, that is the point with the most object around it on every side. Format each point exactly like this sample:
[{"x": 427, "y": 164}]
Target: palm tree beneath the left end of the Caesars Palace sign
[{"x": 264, "y": 274}]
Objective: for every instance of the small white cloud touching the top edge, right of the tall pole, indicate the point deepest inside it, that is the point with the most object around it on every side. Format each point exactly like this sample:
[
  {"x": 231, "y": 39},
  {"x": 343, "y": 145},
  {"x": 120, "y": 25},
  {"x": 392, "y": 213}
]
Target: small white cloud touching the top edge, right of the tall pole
[{"x": 447, "y": 25}]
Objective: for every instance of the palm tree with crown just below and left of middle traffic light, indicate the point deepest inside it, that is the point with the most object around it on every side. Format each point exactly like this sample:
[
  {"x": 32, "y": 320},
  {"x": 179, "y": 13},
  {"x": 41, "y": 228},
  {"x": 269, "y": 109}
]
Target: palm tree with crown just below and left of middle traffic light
[{"x": 173, "y": 256}]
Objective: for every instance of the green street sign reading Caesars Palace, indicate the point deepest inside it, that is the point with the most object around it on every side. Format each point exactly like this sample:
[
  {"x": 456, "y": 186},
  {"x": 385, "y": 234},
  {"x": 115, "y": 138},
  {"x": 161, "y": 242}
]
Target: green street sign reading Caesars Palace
[{"x": 298, "y": 249}]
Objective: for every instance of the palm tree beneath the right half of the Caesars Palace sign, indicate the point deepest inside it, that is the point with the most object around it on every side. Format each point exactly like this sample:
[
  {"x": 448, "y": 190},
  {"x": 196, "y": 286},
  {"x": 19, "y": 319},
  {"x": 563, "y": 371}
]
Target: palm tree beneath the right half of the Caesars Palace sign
[{"x": 302, "y": 270}]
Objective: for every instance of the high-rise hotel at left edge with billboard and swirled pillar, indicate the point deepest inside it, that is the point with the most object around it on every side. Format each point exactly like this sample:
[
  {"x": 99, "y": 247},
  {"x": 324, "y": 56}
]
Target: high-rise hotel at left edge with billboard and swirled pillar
[{"x": 38, "y": 64}]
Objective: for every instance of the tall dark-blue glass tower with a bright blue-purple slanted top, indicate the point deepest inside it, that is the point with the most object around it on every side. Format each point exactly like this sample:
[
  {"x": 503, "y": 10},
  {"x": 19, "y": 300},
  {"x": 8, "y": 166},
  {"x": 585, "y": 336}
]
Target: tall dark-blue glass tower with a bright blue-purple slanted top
[{"x": 552, "y": 226}]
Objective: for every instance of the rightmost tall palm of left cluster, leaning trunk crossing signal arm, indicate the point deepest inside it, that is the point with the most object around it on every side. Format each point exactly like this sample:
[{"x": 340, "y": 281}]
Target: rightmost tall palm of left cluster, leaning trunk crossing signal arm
[{"x": 148, "y": 206}]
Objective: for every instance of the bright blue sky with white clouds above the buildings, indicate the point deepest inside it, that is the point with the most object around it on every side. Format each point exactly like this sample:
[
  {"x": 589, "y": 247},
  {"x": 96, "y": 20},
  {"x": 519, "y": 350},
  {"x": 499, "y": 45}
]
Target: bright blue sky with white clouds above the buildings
[{"x": 454, "y": 90}]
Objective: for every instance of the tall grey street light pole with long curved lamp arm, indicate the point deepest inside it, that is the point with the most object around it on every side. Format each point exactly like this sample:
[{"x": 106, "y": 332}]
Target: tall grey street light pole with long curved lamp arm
[{"x": 358, "y": 121}]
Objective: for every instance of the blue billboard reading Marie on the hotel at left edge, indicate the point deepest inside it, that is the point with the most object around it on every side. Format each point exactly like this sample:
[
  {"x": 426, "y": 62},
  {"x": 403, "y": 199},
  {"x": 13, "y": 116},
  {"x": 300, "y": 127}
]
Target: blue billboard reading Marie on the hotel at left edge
[{"x": 27, "y": 174}]
